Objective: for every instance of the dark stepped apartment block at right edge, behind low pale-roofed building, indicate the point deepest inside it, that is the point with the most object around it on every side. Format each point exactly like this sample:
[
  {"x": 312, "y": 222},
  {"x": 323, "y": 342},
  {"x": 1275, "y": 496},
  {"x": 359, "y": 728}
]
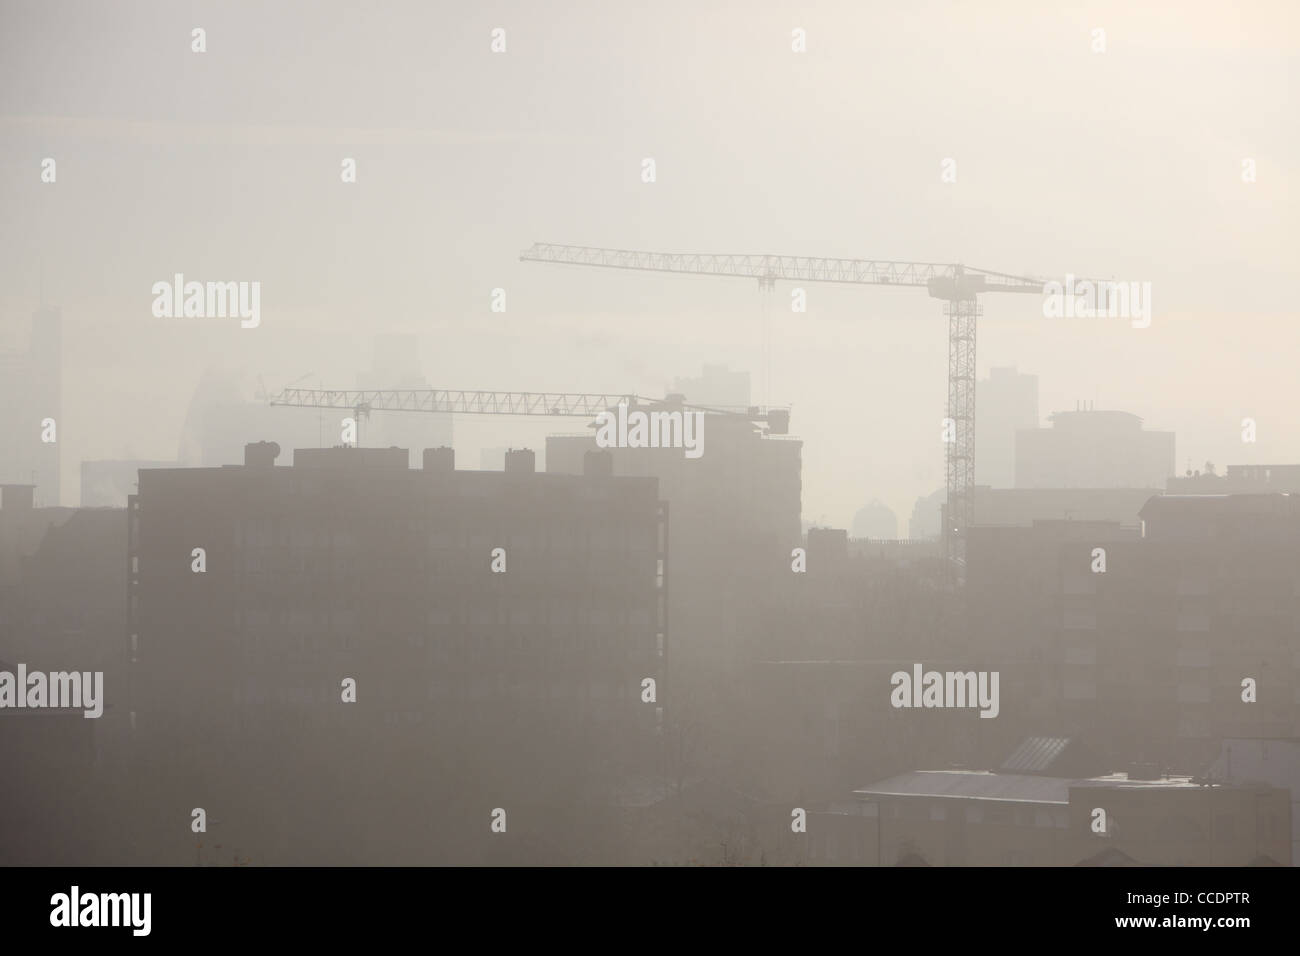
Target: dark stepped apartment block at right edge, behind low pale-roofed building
[{"x": 1147, "y": 657}]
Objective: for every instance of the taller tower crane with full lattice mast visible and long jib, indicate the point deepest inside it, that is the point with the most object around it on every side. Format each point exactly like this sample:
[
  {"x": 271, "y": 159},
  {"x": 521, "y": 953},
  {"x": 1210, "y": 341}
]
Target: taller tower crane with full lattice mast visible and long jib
[{"x": 957, "y": 285}]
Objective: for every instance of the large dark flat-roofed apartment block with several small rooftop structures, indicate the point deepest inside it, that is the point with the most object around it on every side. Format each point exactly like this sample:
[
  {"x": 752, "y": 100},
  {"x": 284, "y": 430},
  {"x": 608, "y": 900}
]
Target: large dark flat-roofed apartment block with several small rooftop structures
[{"x": 497, "y": 628}]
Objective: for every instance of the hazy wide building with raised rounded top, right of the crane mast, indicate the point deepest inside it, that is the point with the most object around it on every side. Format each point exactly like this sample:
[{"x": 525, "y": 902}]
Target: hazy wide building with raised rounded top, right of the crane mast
[{"x": 1094, "y": 449}]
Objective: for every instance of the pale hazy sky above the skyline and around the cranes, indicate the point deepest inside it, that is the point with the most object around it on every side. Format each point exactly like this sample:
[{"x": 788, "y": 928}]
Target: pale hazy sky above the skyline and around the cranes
[{"x": 1125, "y": 165}]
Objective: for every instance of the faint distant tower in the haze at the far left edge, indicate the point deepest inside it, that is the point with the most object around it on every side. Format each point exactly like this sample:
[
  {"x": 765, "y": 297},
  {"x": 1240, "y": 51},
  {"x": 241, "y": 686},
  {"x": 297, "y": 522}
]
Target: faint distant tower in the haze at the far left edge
[{"x": 32, "y": 397}]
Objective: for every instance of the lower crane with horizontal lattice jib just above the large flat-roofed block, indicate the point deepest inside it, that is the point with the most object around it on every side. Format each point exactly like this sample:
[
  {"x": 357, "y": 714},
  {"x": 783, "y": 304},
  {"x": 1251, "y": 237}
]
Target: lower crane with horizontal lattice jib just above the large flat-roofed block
[{"x": 362, "y": 403}]
